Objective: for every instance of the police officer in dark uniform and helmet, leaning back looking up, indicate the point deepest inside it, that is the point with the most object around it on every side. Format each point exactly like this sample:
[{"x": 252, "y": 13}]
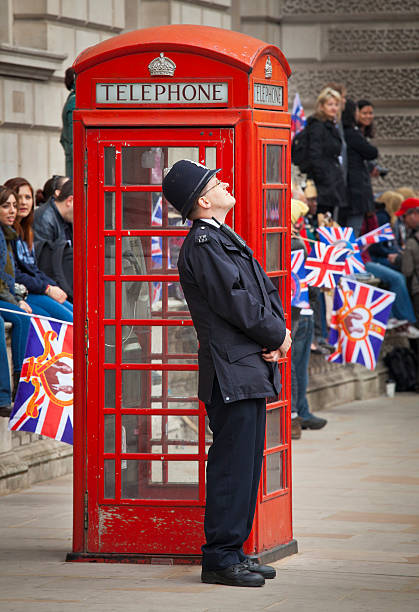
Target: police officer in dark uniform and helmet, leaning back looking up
[{"x": 241, "y": 330}]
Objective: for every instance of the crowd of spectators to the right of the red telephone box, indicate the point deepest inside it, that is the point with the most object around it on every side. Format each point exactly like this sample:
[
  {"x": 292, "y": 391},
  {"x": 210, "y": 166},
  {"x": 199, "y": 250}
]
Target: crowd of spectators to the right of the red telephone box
[{"x": 340, "y": 187}]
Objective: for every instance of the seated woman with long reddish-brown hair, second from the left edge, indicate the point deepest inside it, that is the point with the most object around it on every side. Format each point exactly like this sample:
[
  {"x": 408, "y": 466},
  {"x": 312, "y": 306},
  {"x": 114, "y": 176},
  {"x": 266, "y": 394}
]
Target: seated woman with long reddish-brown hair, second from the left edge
[{"x": 44, "y": 296}]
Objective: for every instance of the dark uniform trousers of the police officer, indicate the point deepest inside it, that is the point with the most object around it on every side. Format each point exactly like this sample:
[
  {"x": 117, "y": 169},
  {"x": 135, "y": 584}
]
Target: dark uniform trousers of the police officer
[{"x": 233, "y": 474}]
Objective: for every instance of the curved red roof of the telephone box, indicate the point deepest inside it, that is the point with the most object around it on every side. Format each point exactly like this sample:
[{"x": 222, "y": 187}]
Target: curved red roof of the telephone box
[{"x": 231, "y": 47}]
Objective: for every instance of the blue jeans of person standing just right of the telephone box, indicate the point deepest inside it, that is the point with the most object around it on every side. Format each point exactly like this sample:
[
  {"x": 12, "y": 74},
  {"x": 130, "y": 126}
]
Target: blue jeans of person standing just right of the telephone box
[{"x": 300, "y": 357}]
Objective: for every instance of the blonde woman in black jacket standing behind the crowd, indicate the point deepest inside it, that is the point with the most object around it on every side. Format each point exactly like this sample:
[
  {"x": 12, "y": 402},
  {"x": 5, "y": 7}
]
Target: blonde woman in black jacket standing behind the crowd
[{"x": 324, "y": 151}]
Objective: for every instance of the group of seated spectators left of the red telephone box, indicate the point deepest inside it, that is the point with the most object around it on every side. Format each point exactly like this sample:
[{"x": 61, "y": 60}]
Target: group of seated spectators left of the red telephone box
[{"x": 36, "y": 265}]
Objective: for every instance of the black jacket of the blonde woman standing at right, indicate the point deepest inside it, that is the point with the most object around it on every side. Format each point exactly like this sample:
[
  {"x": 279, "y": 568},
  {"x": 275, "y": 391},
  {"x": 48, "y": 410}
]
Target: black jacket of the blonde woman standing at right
[{"x": 324, "y": 149}]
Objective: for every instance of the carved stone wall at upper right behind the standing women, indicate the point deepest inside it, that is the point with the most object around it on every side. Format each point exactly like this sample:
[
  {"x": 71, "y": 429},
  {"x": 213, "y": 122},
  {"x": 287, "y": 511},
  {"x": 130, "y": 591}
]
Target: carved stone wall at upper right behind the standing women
[{"x": 371, "y": 47}]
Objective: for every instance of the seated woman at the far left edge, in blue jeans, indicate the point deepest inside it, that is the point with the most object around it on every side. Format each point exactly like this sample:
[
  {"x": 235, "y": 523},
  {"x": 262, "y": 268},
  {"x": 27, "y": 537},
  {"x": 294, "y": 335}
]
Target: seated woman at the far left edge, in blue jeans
[{"x": 8, "y": 300}]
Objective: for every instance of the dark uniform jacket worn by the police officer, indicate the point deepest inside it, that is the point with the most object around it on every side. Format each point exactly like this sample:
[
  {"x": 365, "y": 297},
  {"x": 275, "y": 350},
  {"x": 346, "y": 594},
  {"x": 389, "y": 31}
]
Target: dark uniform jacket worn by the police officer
[{"x": 236, "y": 311}]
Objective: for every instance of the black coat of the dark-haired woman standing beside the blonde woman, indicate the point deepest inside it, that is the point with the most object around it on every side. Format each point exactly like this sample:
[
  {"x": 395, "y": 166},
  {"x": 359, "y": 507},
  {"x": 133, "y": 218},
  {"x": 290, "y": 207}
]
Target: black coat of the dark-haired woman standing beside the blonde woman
[{"x": 359, "y": 150}]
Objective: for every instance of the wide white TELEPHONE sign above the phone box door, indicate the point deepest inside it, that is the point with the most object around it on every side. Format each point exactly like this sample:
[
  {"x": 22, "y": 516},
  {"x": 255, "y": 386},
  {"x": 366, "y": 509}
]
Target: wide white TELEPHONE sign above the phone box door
[{"x": 161, "y": 93}]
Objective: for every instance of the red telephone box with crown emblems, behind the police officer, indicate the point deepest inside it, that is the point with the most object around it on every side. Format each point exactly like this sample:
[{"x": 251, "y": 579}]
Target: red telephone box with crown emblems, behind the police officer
[{"x": 144, "y": 100}]
